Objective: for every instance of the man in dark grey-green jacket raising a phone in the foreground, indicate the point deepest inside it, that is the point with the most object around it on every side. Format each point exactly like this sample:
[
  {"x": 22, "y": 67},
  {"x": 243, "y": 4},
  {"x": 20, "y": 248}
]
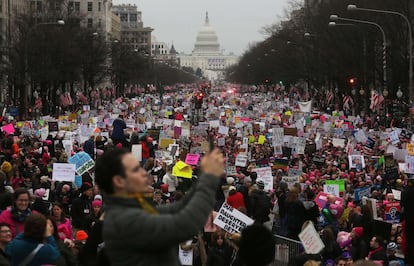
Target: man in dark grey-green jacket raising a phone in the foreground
[{"x": 137, "y": 233}]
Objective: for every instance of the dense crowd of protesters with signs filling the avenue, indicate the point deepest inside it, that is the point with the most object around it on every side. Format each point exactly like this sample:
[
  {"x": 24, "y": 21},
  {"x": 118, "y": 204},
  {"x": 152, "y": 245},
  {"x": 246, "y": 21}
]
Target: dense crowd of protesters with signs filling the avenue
[{"x": 43, "y": 221}]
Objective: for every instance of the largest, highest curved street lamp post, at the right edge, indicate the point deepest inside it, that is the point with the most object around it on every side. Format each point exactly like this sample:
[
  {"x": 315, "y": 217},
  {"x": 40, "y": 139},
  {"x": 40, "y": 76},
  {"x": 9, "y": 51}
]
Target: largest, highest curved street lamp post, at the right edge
[{"x": 410, "y": 42}]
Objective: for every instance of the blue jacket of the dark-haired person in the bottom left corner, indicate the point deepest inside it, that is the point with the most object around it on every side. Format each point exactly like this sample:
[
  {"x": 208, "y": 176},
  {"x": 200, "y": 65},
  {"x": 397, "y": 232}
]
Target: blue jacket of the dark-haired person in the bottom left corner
[{"x": 20, "y": 247}]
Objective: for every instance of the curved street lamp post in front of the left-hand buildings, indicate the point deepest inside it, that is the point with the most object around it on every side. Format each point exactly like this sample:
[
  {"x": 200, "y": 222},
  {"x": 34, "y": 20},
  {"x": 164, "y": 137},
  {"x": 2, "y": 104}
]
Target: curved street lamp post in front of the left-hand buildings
[{"x": 27, "y": 85}]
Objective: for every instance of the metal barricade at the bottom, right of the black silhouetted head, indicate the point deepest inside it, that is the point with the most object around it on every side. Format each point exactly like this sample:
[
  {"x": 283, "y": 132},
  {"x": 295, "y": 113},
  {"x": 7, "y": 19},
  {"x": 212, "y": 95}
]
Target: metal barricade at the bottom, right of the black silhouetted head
[{"x": 285, "y": 249}]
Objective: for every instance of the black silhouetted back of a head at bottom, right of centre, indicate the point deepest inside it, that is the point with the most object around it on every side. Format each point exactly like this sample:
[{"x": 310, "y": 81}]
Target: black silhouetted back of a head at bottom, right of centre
[{"x": 257, "y": 245}]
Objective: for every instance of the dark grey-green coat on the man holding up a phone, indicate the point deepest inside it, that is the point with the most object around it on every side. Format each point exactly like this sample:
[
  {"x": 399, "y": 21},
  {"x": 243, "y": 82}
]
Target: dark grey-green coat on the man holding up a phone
[{"x": 135, "y": 237}]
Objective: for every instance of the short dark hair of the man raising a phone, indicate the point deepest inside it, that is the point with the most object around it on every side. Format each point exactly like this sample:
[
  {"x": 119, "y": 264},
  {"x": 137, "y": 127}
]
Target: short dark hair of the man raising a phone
[{"x": 107, "y": 166}]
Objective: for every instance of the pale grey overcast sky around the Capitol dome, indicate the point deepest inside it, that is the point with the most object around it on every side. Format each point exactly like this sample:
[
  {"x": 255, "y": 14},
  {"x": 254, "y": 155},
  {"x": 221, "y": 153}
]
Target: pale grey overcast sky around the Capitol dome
[{"x": 237, "y": 22}]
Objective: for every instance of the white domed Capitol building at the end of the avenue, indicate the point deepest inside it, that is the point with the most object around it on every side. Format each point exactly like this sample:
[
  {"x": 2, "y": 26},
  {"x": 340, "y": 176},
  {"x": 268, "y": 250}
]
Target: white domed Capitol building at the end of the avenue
[{"x": 207, "y": 54}]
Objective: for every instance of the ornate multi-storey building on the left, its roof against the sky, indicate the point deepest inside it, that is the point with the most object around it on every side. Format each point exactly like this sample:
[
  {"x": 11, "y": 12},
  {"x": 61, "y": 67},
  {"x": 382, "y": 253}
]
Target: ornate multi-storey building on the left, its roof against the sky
[{"x": 133, "y": 32}]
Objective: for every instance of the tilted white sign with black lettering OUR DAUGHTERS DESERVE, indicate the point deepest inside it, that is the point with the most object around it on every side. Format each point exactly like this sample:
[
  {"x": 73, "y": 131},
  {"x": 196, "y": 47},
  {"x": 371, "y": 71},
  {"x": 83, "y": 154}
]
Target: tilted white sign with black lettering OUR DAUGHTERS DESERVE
[{"x": 231, "y": 220}]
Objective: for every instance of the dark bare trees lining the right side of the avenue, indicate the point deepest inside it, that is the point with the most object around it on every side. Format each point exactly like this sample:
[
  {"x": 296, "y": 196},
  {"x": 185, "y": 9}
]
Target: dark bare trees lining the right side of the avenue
[{"x": 330, "y": 56}]
